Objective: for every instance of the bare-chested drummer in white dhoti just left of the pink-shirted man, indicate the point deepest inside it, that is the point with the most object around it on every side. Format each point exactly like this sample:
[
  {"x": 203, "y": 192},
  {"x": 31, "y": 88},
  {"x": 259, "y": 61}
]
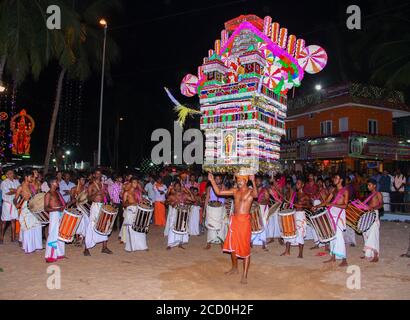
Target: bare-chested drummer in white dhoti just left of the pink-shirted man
[{"x": 98, "y": 195}]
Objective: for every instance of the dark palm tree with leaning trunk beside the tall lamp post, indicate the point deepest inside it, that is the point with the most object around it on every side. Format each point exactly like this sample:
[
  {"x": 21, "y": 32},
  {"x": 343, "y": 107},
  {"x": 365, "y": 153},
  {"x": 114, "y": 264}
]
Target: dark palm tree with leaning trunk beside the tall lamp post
[{"x": 78, "y": 51}]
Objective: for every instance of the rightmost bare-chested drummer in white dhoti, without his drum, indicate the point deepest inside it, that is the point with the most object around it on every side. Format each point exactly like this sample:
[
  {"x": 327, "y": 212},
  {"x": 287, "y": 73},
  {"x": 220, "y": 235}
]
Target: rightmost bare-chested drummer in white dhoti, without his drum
[{"x": 372, "y": 236}]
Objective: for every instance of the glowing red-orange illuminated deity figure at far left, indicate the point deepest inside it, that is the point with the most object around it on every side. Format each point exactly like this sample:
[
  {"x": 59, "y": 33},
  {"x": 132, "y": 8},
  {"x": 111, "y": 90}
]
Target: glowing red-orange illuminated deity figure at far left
[{"x": 21, "y": 126}]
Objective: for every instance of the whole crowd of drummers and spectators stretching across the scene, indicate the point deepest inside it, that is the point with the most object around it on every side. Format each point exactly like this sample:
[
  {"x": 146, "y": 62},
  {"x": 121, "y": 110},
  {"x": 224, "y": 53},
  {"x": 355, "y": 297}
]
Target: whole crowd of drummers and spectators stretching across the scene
[{"x": 236, "y": 212}]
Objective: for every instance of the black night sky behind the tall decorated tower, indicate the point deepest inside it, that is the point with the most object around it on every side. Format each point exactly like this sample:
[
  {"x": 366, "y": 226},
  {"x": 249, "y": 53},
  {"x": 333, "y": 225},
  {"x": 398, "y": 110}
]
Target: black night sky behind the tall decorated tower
[{"x": 161, "y": 41}]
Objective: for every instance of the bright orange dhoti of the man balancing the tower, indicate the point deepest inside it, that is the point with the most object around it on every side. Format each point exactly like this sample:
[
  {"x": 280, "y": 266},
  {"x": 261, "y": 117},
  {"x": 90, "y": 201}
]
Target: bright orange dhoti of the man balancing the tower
[{"x": 238, "y": 239}]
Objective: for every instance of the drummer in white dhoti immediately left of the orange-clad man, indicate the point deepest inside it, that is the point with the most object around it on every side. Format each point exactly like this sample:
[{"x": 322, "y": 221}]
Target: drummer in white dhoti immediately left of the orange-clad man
[{"x": 215, "y": 236}]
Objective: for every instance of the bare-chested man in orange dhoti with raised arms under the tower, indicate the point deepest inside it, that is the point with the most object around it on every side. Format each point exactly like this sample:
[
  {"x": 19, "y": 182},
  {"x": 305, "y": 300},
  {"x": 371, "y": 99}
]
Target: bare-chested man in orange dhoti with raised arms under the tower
[{"x": 239, "y": 234}]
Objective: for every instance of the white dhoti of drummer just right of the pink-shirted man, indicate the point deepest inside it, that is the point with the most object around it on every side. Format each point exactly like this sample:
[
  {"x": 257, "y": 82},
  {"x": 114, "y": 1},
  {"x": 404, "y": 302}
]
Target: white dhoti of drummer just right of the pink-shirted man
[{"x": 134, "y": 241}]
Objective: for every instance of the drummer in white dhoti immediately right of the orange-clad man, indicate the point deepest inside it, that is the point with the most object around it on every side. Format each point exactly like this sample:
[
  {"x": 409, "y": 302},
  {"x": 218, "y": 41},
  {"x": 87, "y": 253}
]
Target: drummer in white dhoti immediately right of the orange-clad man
[{"x": 259, "y": 239}]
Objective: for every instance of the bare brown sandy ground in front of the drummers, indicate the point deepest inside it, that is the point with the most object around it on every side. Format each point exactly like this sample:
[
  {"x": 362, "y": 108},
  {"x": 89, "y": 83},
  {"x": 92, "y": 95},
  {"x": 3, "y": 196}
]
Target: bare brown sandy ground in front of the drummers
[{"x": 196, "y": 273}]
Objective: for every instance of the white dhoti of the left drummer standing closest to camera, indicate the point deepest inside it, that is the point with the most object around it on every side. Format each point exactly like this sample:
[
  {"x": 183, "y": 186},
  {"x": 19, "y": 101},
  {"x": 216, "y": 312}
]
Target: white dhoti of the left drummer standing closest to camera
[{"x": 55, "y": 249}]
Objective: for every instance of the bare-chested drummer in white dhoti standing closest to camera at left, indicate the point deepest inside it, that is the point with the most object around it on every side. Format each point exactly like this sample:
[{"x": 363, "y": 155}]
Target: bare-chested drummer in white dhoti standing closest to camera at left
[{"x": 54, "y": 204}]
